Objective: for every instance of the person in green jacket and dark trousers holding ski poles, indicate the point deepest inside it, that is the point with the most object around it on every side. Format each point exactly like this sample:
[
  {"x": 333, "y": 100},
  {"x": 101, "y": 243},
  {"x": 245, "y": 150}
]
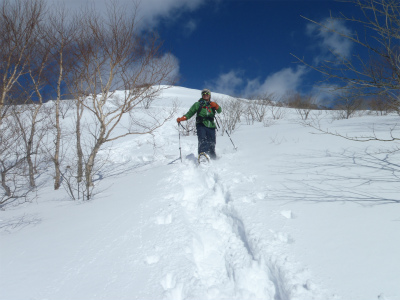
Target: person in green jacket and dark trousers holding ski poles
[{"x": 205, "y": 124}]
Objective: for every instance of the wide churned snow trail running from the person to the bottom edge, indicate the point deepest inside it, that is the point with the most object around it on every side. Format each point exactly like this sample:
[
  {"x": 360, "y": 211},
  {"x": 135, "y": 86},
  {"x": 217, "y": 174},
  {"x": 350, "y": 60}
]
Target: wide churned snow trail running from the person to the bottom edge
[{"x": 229, "y": 260}]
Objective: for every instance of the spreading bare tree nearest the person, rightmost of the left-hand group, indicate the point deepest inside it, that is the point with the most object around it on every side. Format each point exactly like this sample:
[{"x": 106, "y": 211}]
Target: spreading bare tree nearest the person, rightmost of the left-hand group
[{"x": 113, "y": 57}]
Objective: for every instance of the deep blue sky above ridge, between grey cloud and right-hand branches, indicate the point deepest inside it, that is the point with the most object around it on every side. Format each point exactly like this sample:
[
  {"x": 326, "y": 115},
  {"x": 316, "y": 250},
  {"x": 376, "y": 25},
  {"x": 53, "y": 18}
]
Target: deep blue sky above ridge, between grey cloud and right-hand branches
[{"x": 235, "y": 46}]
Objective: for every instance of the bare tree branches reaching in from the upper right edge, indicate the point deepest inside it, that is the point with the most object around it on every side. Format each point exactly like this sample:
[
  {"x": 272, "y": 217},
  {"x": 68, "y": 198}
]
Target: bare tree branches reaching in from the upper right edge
[{"x": 379, "y": 71}]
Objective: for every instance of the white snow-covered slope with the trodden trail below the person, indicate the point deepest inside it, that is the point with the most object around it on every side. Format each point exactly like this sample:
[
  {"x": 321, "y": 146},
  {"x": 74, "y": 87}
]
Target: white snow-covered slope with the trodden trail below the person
[{"x": 291, "y": 214}]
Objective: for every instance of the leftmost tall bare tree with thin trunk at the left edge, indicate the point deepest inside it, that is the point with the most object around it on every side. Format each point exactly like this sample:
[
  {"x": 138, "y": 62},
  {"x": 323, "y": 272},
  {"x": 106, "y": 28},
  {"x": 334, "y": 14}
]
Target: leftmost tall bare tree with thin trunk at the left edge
[{"x": 22, "y": 66}]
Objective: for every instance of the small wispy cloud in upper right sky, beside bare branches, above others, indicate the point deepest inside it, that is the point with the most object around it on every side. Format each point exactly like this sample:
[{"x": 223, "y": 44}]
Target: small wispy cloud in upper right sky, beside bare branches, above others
[{"x": 330, "y": 41}]
